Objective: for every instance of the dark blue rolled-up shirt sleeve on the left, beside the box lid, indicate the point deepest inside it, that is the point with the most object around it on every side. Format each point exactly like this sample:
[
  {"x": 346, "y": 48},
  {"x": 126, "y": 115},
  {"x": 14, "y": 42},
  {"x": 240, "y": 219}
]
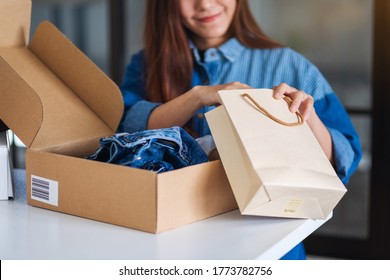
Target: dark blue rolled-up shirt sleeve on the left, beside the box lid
[{"x": 137, "y": 108}]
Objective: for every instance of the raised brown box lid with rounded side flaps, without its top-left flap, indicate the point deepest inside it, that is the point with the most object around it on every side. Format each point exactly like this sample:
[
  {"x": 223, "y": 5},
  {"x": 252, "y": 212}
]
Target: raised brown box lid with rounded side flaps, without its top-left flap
[{"x": 52, "y": 95}]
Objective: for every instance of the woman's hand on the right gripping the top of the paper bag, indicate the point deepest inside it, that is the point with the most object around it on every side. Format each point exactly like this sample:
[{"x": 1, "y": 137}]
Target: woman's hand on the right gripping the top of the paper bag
[{"x": 301, "y": 101}]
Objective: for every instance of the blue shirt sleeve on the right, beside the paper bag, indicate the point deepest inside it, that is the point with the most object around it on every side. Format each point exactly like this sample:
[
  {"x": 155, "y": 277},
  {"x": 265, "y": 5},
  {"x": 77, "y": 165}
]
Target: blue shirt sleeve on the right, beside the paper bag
[{"x": 346, "y": 143}]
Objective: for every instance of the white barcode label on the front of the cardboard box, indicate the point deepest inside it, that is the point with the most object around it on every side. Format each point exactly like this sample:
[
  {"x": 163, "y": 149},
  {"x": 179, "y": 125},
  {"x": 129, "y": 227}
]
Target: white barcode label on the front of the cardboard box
[{"x": 44, "y": 190}]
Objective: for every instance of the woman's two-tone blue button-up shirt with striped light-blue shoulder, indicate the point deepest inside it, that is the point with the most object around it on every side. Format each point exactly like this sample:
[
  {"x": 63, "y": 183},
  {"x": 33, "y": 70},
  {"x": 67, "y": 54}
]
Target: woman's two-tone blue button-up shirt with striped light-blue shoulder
[{"x": 259, "y": 68}]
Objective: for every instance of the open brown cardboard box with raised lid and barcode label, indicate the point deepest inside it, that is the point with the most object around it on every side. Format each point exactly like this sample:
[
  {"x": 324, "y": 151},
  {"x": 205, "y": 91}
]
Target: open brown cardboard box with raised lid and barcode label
[{"x": 60, "y": 104}]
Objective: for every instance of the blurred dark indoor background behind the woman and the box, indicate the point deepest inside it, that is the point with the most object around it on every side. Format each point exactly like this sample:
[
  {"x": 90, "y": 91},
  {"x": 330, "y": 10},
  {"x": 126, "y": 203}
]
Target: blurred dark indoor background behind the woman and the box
[{"x": 345, "y": 39}]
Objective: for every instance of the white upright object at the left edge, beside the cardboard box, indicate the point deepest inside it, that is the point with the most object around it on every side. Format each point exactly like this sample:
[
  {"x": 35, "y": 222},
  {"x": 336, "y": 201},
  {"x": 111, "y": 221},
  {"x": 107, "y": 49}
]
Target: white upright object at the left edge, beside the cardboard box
[{"x": 6, "y": 186}]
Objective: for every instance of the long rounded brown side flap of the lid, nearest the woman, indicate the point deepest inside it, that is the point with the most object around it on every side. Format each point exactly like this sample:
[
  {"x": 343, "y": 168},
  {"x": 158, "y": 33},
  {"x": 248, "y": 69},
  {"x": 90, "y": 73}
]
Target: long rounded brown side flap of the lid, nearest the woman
[{"x": 79, "y": 73}]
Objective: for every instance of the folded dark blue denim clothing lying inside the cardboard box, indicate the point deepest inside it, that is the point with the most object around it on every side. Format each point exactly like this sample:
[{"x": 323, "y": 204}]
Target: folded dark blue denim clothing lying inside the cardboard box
[{"x": 157, "y": 150}]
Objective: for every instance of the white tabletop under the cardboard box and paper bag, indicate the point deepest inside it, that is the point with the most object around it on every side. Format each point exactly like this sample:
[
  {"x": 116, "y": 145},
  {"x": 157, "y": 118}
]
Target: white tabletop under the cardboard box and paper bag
[{"x": 28, "y": 232}]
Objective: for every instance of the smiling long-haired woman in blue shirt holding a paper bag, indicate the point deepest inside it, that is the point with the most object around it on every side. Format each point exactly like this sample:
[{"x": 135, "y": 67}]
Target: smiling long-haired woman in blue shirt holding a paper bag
[{"x": 193, "y": 48}]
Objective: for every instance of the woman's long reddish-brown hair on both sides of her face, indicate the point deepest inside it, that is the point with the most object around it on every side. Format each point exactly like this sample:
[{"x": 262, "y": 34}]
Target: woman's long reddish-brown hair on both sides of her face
[{"x": 169, "y": 59}]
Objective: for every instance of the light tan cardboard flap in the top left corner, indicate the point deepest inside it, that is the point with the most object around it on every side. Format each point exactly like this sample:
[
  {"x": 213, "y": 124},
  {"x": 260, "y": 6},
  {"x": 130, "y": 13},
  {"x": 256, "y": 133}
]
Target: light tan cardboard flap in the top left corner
[{"x": 14, "y": 22}]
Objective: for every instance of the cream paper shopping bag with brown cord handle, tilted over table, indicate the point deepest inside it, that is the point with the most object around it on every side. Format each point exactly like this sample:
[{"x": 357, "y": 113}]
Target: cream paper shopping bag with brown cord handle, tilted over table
[{"x": 273, "y": 161}]
